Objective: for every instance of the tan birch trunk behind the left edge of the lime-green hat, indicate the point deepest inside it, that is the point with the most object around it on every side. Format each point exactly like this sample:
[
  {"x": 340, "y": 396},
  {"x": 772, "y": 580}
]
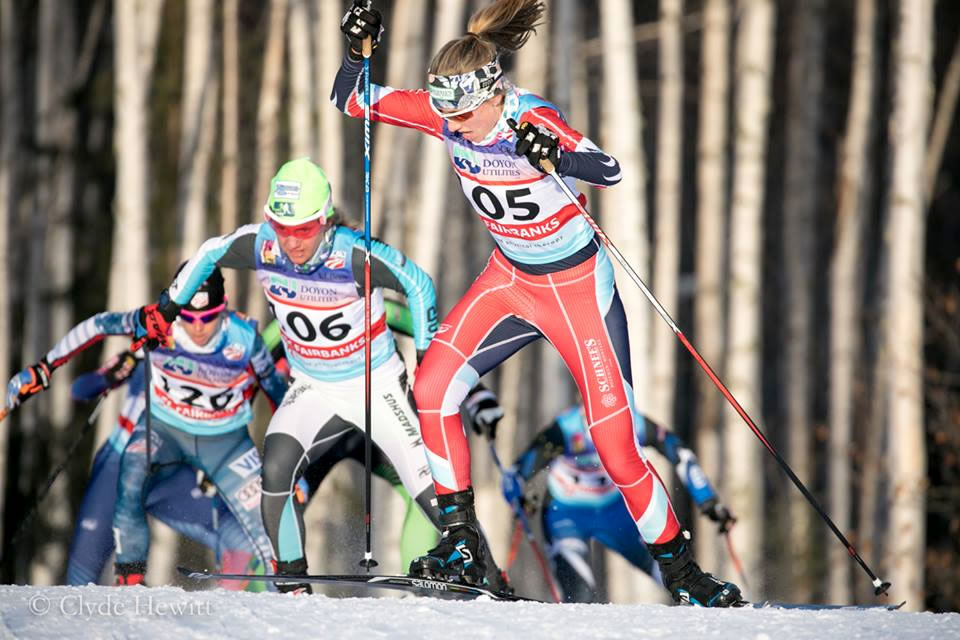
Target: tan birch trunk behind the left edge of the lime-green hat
[{"x": 268, "y": 132}]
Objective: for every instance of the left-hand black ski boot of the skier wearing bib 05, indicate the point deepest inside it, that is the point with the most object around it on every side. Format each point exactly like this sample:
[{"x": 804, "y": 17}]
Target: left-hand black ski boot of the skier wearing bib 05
[{"x": 461, "y": 553}]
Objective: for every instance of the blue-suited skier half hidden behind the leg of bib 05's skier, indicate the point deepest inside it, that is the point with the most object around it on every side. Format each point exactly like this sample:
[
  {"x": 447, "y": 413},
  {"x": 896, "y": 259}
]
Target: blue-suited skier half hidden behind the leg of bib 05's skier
[{"x": 581, "y": 501}]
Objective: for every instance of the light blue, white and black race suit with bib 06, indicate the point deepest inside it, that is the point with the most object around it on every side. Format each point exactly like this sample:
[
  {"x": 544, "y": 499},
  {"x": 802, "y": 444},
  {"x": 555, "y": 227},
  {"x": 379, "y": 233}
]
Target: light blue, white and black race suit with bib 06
[{"x": 319, "y": 307}]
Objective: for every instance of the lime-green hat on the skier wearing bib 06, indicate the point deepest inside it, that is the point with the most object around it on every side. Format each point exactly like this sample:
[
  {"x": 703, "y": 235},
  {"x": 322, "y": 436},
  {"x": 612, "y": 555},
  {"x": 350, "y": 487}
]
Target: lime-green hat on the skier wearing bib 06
[{"x": 299, "y": 193}]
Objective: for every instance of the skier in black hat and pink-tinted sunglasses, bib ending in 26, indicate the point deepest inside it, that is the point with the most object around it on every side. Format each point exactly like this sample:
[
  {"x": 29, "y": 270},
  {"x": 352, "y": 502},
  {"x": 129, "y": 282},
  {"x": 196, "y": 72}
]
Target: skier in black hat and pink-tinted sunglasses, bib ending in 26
[{"x": 203, "y": 380}]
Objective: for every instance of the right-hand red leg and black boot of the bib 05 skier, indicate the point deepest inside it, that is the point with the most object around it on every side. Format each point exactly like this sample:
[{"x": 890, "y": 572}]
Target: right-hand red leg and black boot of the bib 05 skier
[{"x": 595, "y": 347}]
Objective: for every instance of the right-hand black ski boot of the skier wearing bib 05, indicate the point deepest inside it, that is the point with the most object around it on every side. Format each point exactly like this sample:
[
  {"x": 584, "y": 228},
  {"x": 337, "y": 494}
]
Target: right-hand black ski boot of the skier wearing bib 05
[{"x": 686, "y": 581}]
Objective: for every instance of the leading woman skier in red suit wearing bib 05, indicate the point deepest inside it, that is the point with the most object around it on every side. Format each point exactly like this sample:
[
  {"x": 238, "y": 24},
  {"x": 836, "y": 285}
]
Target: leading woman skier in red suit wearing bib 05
[{"x": 549, "y": 277}]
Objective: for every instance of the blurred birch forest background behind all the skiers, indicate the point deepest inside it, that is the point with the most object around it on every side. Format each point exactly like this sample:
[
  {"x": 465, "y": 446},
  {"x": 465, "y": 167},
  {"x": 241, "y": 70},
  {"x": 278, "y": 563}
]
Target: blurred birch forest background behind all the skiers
[{"x": 790, "y": 193}]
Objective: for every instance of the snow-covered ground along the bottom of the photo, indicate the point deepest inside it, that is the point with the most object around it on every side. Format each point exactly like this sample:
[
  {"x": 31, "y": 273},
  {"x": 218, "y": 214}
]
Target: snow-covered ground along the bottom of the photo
[{"x": 171, "y": 613}]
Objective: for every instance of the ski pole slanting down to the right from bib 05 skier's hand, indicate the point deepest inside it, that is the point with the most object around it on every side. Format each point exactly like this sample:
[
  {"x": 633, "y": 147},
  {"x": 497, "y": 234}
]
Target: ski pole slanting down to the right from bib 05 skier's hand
[{"x": 880, "y": 587}]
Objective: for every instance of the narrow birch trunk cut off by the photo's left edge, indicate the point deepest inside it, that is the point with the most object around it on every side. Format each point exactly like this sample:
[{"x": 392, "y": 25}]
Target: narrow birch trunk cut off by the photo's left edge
[{"x": 10, "y": 144}]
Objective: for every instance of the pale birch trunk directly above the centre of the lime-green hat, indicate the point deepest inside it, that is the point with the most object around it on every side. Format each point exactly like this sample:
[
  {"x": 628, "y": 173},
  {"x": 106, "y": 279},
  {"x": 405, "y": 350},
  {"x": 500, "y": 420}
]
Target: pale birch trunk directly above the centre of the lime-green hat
[{"x": 301, "y": 80}]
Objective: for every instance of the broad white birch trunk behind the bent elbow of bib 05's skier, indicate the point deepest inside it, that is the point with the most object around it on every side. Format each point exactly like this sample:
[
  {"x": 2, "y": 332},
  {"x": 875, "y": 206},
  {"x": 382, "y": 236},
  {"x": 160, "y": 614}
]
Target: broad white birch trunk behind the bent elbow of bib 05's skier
[{"x": 625, "y": 215}]
